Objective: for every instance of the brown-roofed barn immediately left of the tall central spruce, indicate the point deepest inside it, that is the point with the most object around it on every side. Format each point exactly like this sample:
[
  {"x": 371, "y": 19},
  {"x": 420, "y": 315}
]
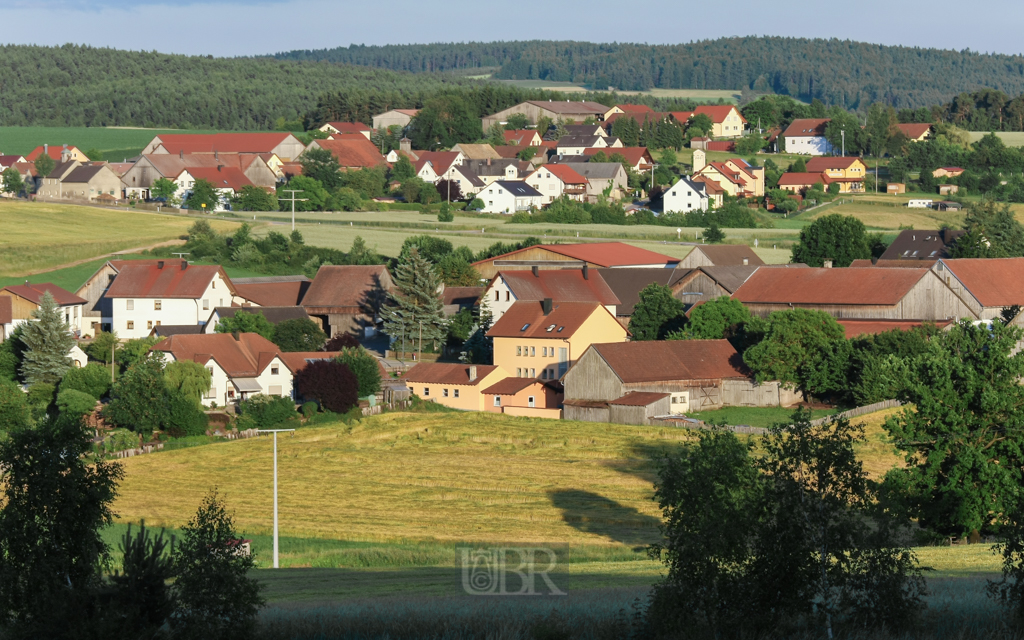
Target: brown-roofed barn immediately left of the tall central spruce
[{"x": 349, "y": 298}]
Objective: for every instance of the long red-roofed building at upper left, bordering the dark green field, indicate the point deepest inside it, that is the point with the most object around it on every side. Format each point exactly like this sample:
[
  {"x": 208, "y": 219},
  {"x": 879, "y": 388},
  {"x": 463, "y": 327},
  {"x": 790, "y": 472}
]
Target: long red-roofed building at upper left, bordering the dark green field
[{"x": 286, "y": 146}]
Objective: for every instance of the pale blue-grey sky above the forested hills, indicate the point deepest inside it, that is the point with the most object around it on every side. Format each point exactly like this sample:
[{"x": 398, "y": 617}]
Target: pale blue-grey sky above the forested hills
[{"x": 229, "y": 28}]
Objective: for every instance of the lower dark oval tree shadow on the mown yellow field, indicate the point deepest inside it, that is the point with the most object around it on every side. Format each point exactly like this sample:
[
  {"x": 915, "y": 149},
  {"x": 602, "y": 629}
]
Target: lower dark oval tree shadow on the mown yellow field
[{"x": 595, "y": 515}]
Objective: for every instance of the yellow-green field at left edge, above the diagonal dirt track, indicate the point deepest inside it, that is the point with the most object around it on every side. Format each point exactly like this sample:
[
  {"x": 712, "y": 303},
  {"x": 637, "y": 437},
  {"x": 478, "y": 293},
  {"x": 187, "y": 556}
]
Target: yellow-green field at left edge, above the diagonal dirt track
[{"x": 44, "y": 236}]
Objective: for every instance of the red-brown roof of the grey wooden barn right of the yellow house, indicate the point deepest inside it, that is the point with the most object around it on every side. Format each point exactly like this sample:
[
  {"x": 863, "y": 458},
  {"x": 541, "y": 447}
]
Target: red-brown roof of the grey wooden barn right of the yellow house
[{"x": 673, "y": 360}]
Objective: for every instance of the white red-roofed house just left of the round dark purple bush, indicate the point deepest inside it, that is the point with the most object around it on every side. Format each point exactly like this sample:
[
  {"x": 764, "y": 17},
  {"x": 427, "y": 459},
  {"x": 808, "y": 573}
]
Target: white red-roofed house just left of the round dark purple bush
[{"x": 241, "y": 365}]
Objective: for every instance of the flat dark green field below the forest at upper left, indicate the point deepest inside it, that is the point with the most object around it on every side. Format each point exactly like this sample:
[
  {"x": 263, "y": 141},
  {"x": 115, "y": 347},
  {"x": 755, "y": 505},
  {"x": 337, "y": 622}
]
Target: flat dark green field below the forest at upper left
[{"x": 115, "y": 143}]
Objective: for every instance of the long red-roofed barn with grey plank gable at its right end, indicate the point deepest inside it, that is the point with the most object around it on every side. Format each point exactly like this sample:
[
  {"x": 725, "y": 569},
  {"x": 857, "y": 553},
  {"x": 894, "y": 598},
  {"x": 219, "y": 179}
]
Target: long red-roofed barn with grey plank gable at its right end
[{"x": 855, "y": 293}]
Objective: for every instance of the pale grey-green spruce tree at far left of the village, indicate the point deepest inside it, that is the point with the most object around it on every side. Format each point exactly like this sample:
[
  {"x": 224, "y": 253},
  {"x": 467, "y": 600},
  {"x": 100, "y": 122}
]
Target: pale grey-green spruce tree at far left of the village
[{"x": 48, "y": 343}]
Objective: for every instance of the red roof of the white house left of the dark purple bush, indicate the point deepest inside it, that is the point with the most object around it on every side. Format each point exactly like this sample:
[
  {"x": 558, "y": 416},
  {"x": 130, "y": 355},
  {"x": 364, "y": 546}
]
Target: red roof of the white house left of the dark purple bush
[{"x": 245, "y": 357}]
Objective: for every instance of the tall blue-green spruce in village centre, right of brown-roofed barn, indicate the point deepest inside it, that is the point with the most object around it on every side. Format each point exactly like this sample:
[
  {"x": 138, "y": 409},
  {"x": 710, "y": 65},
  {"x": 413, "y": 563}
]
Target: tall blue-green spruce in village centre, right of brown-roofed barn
[{"x": 415, "y": 303}]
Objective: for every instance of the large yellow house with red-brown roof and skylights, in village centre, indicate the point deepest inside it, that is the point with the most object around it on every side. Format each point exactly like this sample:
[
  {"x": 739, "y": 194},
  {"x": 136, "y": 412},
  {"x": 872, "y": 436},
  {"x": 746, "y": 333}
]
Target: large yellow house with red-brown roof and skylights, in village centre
[{"x": 542, "y": 339}]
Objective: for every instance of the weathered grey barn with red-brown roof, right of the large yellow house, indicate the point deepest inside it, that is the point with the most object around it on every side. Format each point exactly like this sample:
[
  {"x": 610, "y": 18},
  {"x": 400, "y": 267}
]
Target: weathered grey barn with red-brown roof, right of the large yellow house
[{"x": 633, "y": 382}]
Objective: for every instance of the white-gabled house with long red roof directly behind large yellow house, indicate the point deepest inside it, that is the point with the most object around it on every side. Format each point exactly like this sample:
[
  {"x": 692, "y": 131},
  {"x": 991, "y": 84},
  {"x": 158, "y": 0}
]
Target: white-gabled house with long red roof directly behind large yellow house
[{"x": 507, "y": 288}]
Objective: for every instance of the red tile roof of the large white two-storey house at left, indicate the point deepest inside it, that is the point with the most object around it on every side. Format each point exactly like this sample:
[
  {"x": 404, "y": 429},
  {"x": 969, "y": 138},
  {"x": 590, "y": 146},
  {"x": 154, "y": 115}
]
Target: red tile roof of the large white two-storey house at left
[{"x": 149, "y": 281}]
